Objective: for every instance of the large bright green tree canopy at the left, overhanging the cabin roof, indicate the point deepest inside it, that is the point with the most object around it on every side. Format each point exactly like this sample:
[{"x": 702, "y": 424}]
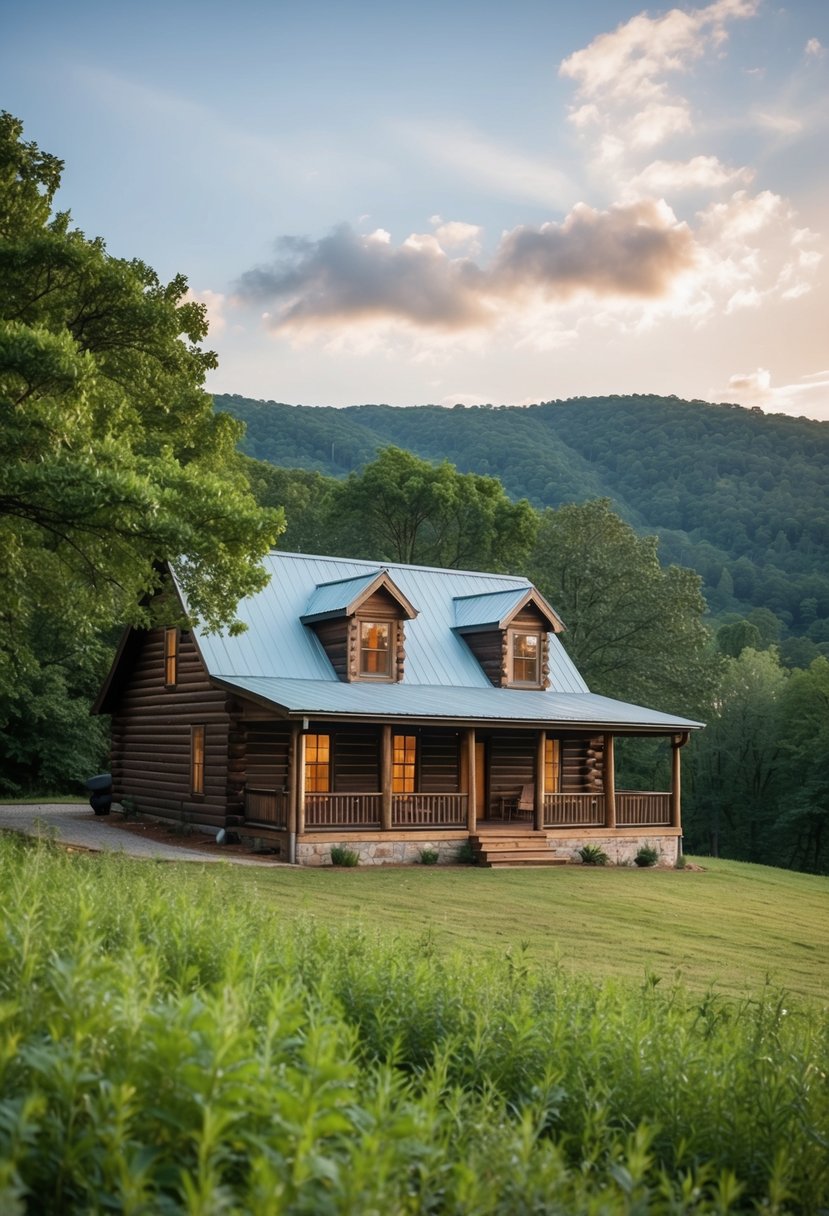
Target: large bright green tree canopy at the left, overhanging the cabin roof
[{"x": 112, "y": 459}]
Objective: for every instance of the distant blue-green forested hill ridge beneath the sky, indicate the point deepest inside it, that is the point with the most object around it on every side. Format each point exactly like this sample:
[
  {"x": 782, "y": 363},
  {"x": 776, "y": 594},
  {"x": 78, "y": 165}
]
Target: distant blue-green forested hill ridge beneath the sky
[{"x": 740, "y": 496}]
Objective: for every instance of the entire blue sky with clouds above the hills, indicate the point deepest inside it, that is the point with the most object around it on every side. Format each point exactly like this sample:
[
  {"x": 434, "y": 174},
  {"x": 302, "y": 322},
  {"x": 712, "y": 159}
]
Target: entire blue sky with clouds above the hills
[{"x": 458, "y": 202}]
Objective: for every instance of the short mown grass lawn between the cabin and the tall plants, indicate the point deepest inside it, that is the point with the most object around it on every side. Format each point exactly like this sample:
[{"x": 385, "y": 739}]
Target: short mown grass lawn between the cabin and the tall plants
[{"x": 732, "y": 925}]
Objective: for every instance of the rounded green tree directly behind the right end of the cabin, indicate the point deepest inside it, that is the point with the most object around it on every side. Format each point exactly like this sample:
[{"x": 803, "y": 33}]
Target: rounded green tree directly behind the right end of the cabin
[{"x": 634, "y": 627}]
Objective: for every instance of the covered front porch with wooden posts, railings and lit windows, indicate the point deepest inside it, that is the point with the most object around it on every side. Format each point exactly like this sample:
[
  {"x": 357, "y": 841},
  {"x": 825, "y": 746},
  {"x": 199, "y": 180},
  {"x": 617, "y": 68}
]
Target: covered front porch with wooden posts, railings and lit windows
[{"x": 319, "y": 780}]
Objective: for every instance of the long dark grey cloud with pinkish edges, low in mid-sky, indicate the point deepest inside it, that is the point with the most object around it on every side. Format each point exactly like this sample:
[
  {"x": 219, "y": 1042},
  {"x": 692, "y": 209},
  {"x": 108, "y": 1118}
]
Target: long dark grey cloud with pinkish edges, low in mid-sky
[{"x": 634, "y": 252}]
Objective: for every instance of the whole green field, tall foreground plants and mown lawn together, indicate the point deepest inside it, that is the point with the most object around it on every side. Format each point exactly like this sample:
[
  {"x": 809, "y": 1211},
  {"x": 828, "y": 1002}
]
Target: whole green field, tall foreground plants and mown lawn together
[{"x": 217, "y": 1040}]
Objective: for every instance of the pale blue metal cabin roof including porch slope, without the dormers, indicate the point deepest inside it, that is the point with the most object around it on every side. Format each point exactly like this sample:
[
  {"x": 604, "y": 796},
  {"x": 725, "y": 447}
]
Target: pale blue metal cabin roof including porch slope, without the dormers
[{"x": 281, "y": 660}]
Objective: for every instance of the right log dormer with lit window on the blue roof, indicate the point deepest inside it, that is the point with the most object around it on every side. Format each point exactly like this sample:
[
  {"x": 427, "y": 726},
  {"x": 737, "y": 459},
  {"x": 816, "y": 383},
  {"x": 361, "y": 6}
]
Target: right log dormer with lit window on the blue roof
[{"x": 507, "y": 633}]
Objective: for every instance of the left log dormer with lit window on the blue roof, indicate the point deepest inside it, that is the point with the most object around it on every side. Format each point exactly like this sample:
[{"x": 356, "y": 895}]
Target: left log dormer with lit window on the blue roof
[{"x": 360, "y": 623}]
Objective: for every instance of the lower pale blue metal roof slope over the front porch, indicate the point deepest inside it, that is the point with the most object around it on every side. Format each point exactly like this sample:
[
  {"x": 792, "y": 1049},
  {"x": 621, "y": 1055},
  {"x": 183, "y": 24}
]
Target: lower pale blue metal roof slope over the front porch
[{"x": 396, "y": 701}]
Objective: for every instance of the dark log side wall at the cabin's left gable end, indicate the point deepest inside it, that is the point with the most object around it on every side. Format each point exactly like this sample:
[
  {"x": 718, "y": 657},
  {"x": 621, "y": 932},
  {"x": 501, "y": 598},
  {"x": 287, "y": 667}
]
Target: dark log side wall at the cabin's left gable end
[{"x": 151, "y": 735}]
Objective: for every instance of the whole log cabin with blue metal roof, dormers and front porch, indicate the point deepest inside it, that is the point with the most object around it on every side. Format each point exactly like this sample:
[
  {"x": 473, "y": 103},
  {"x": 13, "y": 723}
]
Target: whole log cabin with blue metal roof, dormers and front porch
[{"x": 390, "y": 710}]
